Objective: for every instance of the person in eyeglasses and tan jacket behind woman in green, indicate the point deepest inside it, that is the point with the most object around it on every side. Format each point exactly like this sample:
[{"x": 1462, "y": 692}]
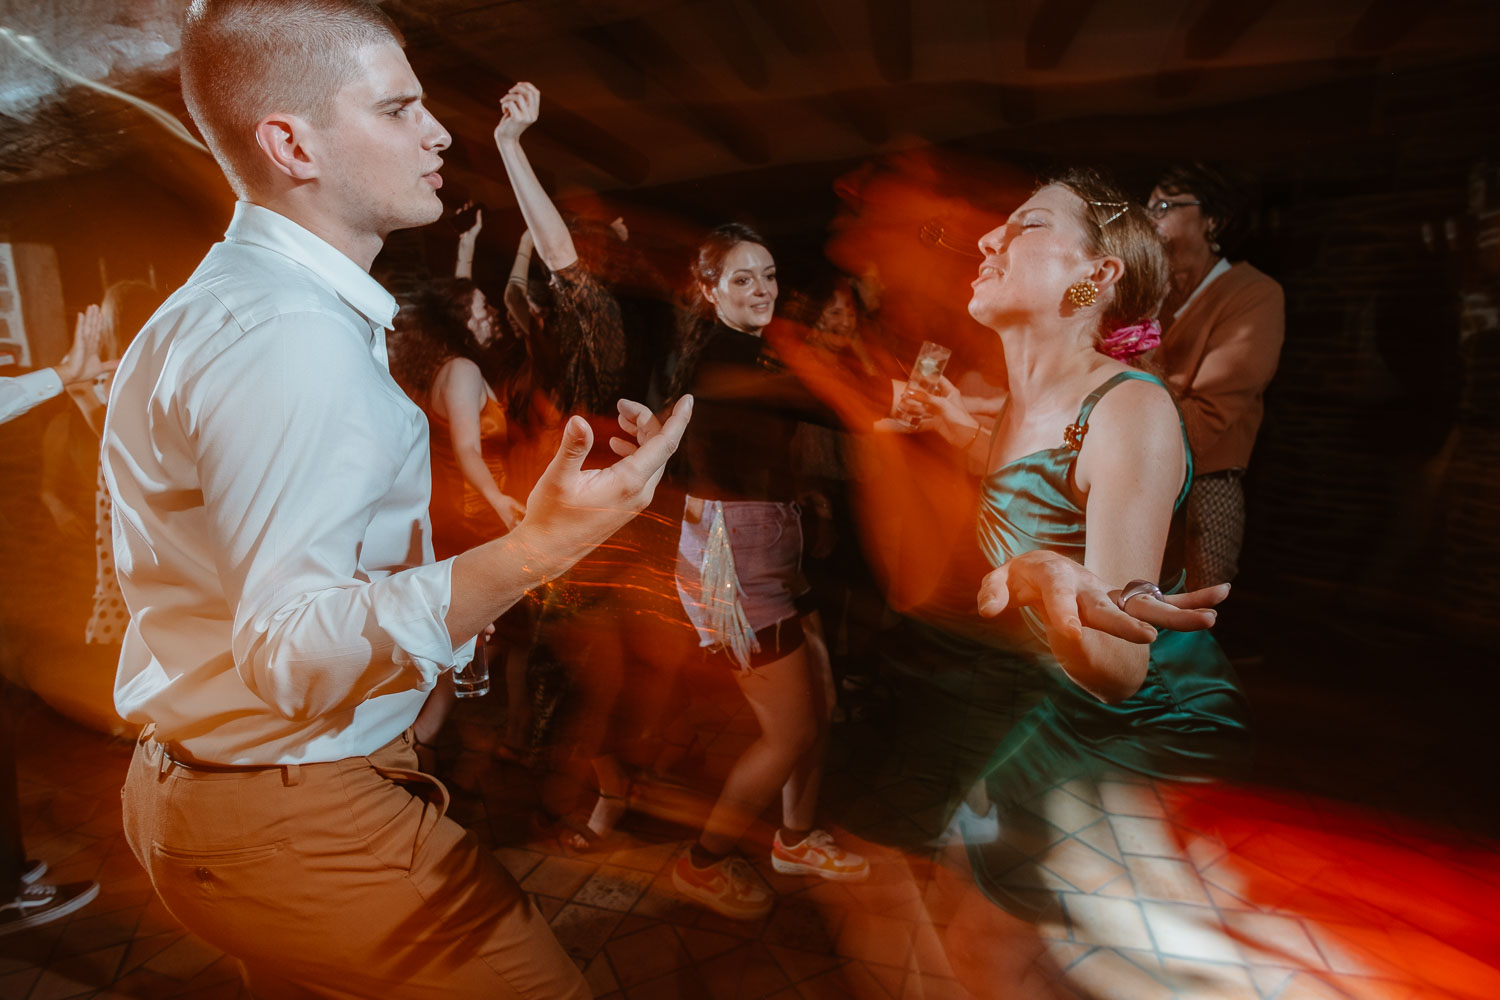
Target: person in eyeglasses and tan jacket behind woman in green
[{"x": 1223, "y": 328}]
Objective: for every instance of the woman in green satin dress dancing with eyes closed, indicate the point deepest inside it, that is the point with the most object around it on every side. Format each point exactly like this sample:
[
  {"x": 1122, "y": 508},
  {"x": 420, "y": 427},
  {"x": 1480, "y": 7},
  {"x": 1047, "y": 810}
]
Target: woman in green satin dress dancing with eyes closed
[{"x": 1085, "y": 461}]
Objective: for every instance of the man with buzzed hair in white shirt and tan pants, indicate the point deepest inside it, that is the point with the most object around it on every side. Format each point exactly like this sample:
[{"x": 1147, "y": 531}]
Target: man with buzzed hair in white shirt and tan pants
[{"x": 272, "y": 484}]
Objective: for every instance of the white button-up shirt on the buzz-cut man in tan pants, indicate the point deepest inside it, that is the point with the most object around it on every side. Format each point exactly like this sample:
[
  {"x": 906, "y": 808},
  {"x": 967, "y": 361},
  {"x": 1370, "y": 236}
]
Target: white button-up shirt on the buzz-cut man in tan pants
[{"x": 271, "y": 512}]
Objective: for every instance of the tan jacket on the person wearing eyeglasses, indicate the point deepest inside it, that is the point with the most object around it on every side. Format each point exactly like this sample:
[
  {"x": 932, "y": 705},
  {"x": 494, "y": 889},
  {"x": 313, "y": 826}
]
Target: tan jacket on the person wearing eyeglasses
[{"x": 1219, "y": 358}]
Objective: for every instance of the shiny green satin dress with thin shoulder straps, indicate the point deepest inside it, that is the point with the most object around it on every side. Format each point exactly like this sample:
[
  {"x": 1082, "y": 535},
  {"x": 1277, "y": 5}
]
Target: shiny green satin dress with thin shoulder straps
[{"x": 1189, "y": 719}]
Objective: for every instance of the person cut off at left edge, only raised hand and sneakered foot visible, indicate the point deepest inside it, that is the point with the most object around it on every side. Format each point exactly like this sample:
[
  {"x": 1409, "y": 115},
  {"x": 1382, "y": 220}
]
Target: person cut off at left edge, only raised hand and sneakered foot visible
[{"x": 26, "y": 902}]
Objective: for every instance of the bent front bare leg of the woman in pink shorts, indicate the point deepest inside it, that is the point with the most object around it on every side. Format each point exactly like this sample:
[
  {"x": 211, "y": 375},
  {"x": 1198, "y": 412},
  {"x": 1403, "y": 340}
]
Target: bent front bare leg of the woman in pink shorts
[{"x": 782, "y": 699}]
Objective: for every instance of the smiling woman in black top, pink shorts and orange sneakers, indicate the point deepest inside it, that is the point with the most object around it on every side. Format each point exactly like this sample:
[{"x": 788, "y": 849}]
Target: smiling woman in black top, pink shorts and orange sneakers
[{"x": 739, "y": 573}]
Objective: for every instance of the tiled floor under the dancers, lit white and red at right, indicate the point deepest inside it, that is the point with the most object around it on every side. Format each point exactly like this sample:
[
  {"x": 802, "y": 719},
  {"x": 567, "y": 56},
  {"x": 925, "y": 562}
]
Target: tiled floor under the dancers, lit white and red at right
[{"x": 1135, "y": 903}]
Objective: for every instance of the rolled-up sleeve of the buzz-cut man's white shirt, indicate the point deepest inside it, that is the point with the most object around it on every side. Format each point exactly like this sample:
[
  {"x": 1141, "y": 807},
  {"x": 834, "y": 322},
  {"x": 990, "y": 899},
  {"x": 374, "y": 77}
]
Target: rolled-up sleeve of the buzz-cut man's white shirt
[{"x": 305, "y": 455}]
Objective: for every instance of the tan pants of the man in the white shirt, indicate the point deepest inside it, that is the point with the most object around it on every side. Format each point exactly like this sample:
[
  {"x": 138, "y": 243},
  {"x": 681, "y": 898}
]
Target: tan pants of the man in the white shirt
[{"x": 340, "y": 879}]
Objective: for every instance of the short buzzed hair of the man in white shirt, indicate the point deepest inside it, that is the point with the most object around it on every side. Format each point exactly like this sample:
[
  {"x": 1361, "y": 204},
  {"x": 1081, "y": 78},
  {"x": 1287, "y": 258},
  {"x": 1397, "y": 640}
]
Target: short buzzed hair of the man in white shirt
[{"x": 247, "y": 59}]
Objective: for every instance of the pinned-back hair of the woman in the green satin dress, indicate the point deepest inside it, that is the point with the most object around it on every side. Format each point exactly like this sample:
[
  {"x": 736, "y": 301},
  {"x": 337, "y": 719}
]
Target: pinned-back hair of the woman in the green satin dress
[{"x": 1117, "y": 227}]
